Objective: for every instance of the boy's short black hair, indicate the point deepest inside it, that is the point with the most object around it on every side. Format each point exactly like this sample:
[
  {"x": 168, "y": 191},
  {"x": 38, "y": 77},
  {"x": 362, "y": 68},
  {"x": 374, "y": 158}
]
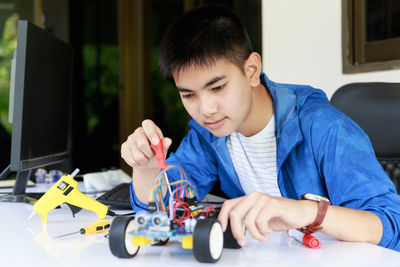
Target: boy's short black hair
[{"x": 202, "y": 36}]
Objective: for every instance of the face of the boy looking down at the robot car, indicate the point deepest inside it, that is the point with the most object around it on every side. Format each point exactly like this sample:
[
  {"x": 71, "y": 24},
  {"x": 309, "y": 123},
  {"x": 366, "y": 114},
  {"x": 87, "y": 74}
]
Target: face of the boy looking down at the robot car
[{"x": 218, "y": 97}]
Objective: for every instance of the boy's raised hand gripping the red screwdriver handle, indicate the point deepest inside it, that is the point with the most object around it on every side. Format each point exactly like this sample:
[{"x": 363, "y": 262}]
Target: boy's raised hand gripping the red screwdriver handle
[{"x": 136, "y": 150}]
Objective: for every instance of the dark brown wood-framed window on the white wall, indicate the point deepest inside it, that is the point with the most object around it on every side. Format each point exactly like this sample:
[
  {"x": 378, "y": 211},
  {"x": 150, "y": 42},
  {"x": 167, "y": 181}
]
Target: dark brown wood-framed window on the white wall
[{"x": 371, "y": 35}]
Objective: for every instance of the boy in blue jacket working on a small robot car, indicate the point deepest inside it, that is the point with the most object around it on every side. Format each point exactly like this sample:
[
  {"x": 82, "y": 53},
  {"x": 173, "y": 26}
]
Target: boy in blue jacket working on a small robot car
[{"x": 270, "y": 145}]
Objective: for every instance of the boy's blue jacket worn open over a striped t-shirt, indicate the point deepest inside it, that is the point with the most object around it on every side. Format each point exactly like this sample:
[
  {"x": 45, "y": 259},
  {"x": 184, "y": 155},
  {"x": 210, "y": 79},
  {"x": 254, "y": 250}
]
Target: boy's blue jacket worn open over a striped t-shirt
[{"x": 319, "y": 150}]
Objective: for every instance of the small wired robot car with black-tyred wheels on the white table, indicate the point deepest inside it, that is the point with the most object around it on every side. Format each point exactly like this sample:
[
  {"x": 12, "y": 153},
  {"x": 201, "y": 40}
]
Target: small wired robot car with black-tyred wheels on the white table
[{"x": 183, "y": 218}]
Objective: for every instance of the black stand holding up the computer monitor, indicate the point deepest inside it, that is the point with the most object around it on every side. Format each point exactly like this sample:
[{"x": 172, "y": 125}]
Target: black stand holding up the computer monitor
[{"x": 18, "y": 194}]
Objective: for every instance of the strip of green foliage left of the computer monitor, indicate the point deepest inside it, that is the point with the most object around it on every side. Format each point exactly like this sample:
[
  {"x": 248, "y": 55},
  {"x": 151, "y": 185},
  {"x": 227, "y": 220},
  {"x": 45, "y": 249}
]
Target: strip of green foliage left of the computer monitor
[{"x": 8, "y": 44}]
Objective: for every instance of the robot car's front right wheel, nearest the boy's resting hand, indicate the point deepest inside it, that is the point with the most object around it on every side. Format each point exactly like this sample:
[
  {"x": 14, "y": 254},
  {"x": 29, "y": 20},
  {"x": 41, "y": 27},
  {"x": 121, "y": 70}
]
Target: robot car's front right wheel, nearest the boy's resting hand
[{"x": 208, "y": 240}]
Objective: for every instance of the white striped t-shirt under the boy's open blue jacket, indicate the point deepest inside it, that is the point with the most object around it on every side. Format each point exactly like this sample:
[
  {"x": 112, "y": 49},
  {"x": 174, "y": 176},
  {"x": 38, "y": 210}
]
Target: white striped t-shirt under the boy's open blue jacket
[{"x": 254, "y": 159}]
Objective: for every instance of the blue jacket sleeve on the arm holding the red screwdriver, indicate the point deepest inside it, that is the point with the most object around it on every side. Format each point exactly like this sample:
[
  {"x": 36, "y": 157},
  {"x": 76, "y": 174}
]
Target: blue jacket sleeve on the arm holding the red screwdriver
[{"x": 193, "y": 156}]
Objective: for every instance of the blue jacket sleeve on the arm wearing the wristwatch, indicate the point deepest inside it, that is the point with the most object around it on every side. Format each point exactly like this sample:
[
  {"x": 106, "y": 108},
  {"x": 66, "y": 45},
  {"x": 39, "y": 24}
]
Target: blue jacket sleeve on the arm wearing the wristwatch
[{"x": 354, "y": 178}]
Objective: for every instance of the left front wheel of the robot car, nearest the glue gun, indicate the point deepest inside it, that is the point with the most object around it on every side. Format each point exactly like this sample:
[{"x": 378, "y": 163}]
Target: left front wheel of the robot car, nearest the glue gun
[{"x": 119, "y": 240}]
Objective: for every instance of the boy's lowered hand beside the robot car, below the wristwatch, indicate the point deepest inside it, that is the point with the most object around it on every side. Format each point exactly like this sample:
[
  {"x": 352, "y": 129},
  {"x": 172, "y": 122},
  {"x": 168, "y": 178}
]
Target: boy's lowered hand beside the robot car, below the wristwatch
[{"x": 262, "y": 214}]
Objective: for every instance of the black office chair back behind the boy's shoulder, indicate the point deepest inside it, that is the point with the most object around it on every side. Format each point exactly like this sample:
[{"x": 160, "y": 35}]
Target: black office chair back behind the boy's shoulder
[{"x": 375, "y": 107}]
